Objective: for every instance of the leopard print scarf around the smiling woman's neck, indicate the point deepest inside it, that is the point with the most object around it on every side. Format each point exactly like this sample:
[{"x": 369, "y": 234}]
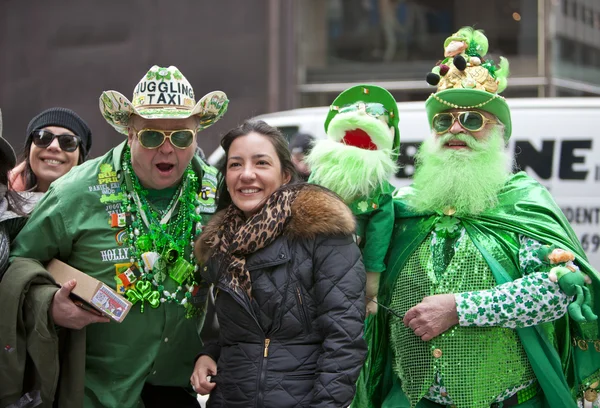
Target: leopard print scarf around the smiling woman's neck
[{"x": 238, "y": 236}]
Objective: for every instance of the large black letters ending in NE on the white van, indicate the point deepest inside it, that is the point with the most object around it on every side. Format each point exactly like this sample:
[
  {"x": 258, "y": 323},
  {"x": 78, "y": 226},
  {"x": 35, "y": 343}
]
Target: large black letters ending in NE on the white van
[{"x": 572, "y": 160}]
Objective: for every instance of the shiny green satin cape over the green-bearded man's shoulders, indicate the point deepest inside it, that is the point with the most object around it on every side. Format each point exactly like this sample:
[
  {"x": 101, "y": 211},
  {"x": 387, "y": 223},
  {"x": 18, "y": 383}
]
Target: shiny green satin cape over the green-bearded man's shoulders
[{"x": 527, "y": 208}]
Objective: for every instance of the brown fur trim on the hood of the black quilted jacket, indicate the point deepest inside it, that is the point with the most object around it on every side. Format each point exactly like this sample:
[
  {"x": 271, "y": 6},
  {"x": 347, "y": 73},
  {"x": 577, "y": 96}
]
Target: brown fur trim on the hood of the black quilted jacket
[{"x": 316, "y": 211}]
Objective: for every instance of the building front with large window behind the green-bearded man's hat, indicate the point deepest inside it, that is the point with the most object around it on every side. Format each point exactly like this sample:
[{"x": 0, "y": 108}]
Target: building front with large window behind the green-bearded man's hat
[{"x": 395, "y": 43}]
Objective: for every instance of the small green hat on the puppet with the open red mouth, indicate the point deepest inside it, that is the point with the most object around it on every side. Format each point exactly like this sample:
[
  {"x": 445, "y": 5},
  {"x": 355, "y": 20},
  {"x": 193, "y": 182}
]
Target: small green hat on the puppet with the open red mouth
[{"x": 368, "y": 94}]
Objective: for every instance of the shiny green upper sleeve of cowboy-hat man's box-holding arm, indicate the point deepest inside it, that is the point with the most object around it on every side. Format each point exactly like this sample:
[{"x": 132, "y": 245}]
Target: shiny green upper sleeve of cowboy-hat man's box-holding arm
[{"x": 45, "y": 235}]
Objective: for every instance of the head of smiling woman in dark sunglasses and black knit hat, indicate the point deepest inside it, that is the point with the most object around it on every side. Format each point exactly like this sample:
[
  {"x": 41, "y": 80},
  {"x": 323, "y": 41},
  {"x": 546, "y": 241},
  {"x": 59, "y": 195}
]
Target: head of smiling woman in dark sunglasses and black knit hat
[{"x": 57, "y": 140}]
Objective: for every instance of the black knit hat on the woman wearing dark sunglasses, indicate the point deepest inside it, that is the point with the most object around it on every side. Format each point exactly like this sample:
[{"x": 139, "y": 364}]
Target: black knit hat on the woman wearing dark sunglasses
[{"x": 66, "y": 118}]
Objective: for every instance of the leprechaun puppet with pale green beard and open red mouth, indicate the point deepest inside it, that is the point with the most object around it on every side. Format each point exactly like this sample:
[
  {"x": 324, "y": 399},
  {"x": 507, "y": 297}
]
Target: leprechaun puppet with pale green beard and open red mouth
[{"x": 356, "y": 161}]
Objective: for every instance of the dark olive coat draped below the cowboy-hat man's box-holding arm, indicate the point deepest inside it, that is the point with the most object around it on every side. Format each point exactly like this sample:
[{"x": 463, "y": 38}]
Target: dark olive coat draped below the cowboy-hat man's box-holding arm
[{"x": 25, "y": 295}]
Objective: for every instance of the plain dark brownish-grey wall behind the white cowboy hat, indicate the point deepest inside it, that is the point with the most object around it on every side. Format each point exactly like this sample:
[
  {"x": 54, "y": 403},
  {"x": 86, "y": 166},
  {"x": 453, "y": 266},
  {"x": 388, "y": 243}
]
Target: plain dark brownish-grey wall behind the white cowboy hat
[{"x": 66, "y": 52}]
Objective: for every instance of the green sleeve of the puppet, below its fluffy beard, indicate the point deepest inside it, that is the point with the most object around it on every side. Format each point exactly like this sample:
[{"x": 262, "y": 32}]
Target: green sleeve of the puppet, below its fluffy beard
[{"x": 378, "y": 233}]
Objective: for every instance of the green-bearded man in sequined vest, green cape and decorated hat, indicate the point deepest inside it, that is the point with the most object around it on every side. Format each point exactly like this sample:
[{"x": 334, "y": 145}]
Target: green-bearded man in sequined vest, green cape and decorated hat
[{"x": 473, "y": 318}]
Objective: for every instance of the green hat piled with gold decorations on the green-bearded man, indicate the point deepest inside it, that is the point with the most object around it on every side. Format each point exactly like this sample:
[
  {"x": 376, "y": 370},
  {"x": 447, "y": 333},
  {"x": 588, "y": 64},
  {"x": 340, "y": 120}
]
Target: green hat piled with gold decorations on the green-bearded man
[{"x": 478, "y": 86}]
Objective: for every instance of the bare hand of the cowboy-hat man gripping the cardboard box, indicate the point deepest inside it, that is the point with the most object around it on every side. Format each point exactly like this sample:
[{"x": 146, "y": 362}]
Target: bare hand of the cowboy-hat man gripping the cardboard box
[{"x": 66, "y": 314}]
